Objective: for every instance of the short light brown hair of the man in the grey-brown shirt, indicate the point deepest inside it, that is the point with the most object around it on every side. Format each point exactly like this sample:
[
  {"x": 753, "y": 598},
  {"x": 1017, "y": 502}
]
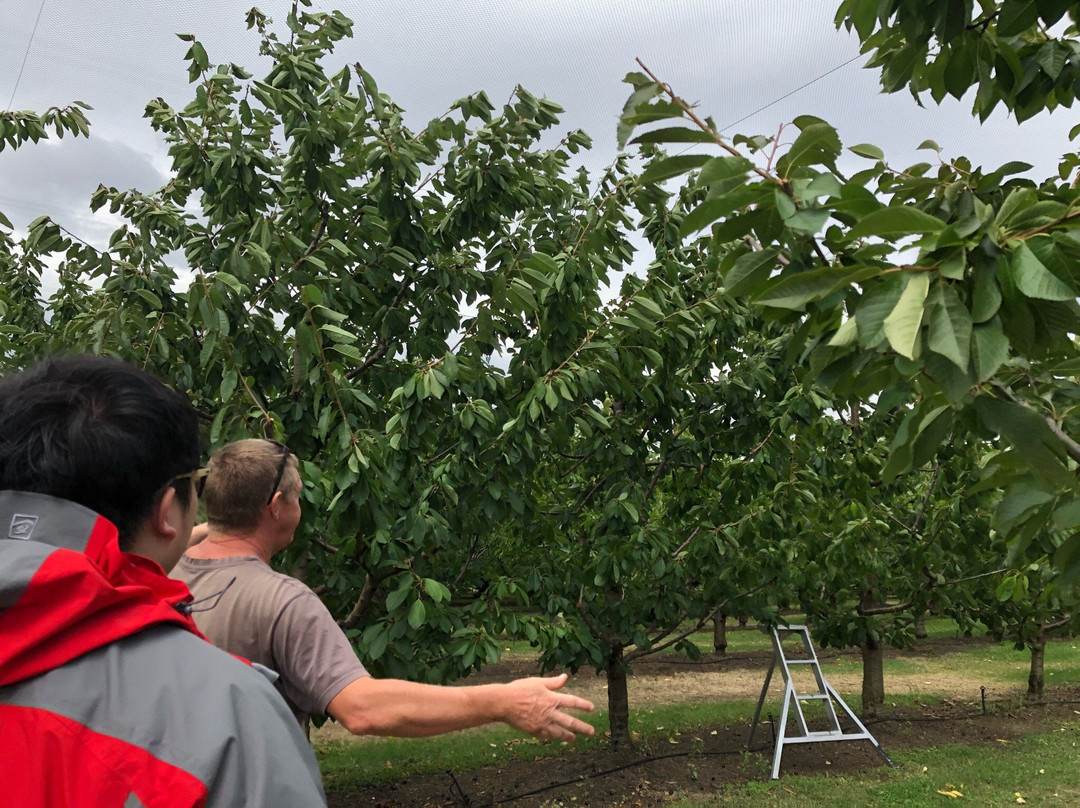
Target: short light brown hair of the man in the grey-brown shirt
[{"x": 239, "y": 483}]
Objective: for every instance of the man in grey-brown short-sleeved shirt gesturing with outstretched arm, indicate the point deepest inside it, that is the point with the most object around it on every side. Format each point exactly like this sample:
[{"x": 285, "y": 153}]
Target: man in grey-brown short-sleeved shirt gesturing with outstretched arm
[{"x": 252, "y": 497}]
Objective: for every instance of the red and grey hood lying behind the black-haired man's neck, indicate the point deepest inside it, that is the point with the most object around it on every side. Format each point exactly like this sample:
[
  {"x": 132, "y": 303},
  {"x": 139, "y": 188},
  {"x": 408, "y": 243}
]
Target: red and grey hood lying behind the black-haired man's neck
[{"x": 67, "y": 589}]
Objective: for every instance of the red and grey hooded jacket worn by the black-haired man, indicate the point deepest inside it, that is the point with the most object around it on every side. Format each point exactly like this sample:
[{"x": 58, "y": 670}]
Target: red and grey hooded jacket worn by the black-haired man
[{"x": 109, "y": 694}]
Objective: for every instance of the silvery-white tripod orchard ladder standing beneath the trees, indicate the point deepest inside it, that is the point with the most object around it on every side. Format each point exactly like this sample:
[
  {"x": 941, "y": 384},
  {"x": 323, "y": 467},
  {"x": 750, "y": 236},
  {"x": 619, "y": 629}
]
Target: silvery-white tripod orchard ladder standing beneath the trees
[{"x": 793, "y": 702}]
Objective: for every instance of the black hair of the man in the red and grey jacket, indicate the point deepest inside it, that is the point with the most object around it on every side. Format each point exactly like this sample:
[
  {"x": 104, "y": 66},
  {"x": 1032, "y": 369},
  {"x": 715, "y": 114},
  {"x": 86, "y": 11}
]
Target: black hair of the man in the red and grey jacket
[{"x": 100, "y": 433}]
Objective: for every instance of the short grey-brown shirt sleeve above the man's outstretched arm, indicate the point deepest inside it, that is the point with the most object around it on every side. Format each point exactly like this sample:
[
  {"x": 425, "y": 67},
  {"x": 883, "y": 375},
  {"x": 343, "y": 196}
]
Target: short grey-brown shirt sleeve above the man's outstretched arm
[{"x": 315, "y": 658}]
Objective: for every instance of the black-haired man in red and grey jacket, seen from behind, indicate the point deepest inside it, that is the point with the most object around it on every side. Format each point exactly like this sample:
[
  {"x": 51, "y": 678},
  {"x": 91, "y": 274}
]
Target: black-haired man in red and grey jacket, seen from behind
[{"x": 109, "y": 694}]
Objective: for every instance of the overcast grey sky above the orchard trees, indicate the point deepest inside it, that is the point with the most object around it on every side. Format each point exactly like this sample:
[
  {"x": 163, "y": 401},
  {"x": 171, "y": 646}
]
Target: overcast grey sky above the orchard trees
[{"x": 731, "y": 57}]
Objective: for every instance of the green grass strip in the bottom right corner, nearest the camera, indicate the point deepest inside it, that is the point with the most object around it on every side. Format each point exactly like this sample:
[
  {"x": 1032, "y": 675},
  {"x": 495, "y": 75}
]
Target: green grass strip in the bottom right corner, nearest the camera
[{"x": 1039, "y": 770}]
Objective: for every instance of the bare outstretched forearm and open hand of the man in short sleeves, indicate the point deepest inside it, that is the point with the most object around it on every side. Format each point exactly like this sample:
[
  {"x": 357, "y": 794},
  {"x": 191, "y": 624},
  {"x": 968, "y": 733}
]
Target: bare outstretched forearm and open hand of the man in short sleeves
[{"x": 412, "y": 710}]
